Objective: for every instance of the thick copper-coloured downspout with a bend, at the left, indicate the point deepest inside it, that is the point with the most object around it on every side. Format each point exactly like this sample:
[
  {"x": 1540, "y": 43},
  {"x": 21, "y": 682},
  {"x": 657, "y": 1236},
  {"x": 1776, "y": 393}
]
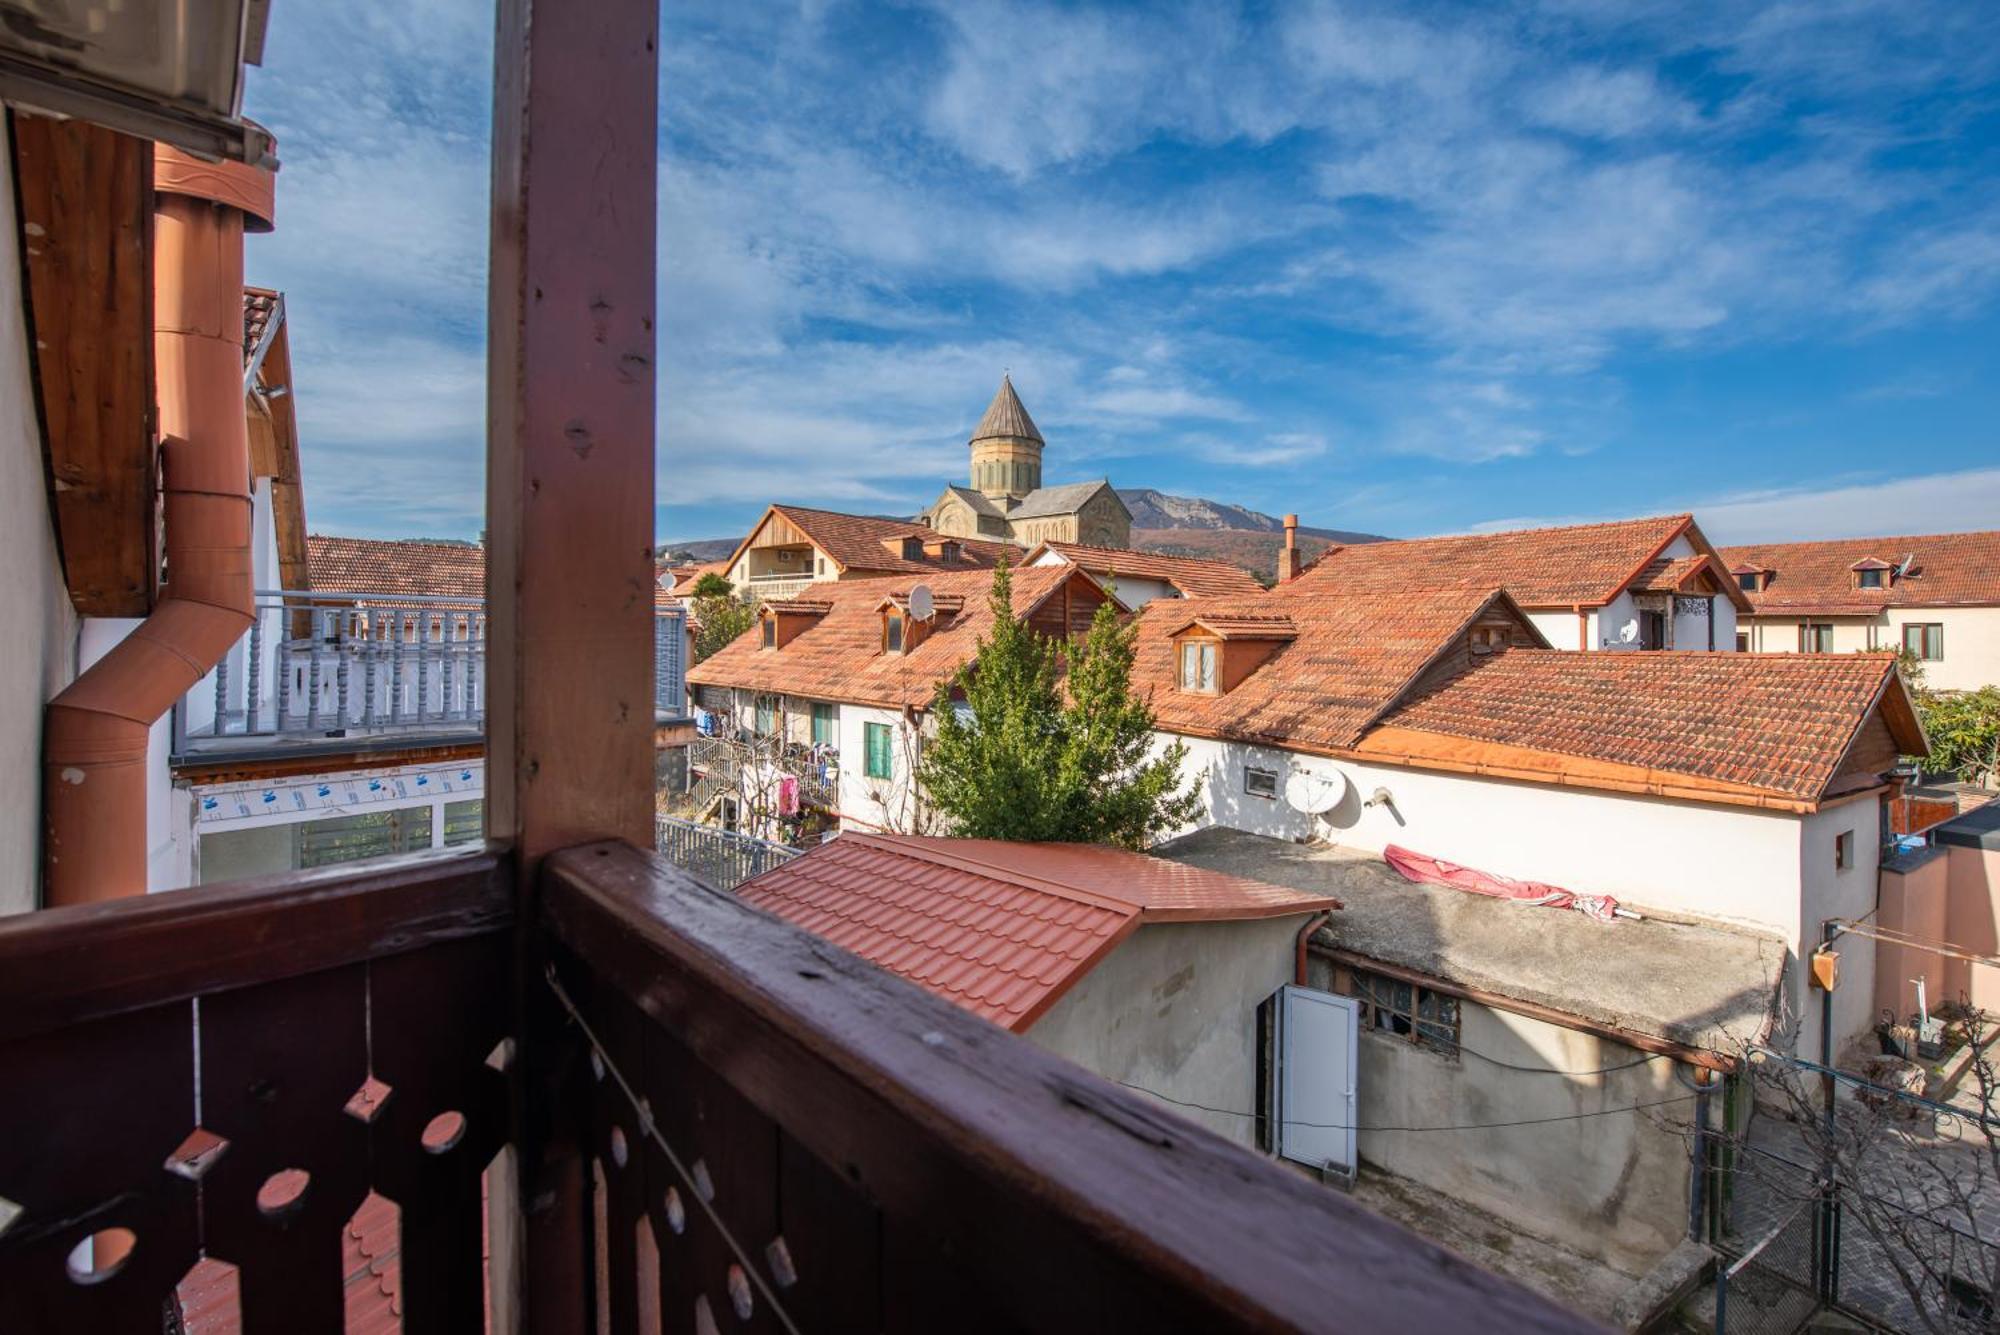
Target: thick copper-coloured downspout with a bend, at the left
[{"x": 97, "y": 730}]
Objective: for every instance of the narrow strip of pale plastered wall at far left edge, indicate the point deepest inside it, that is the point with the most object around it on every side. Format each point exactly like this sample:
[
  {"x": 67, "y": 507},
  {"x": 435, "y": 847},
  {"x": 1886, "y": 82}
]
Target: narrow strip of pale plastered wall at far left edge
[{"x": 39, "y": 649}]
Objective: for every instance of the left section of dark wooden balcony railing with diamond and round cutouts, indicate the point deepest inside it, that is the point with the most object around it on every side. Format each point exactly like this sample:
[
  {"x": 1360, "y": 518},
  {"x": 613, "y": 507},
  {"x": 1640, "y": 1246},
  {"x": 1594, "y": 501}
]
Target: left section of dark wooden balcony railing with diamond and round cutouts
[{"x": 229, "y": 1072}]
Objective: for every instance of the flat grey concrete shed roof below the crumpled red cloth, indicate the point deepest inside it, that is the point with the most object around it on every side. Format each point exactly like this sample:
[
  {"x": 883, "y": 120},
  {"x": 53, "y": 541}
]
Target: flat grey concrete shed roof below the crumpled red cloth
[{"x": 1693, "y": 984}]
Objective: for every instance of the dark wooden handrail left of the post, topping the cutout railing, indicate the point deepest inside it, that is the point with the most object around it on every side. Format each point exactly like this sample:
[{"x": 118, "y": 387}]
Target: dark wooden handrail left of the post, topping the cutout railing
[{"x": 85, "y": 962}]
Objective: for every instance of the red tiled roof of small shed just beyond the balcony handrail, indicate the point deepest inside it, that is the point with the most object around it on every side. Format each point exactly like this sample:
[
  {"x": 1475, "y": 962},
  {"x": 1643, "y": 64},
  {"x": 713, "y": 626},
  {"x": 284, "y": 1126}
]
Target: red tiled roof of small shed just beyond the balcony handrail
[{"x": 1001, "y": 930}]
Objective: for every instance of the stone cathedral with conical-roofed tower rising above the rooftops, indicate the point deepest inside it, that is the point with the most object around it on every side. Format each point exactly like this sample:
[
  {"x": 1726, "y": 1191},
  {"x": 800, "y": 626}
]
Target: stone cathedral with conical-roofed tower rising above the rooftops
[{"x": 1007, "y": 499}]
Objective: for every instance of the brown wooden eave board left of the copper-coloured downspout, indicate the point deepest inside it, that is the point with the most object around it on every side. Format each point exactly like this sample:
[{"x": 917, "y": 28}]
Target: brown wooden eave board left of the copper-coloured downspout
[{"x": 87, "y": 229}]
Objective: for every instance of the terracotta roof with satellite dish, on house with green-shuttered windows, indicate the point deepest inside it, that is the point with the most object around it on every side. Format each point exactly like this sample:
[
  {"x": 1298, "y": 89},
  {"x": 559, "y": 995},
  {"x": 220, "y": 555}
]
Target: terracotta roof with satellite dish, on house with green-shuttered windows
[{"x": 841, "y": 657}]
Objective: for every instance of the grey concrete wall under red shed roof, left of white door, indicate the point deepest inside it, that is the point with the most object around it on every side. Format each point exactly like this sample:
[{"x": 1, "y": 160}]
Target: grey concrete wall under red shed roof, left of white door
[{"x": 1173, "y": 1010}]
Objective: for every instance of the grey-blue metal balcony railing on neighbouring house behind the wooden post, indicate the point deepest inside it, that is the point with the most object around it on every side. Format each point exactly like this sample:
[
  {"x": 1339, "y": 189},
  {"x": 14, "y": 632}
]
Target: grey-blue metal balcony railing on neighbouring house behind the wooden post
[{"x": 369, "y": 665}]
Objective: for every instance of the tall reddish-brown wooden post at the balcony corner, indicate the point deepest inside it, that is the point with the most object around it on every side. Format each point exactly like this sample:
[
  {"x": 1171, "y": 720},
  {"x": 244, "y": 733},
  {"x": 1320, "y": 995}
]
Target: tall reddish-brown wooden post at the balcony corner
[{"x": 569, "y": 509}]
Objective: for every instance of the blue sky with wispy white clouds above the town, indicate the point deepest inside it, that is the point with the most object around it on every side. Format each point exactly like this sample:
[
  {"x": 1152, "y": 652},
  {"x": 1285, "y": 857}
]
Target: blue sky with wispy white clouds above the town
[{"x": 1399, "y": 269}]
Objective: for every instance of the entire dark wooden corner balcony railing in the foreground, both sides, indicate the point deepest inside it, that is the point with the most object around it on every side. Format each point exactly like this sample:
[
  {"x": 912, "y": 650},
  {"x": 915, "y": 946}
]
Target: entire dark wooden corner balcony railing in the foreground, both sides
[{"x": 771, "y": 1134}]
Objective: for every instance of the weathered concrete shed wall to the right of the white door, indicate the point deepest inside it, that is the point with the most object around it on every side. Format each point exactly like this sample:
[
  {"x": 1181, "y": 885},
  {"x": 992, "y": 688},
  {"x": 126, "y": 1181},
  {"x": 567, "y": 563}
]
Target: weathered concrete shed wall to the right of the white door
[{"x": 1613, "y": 1188}]
